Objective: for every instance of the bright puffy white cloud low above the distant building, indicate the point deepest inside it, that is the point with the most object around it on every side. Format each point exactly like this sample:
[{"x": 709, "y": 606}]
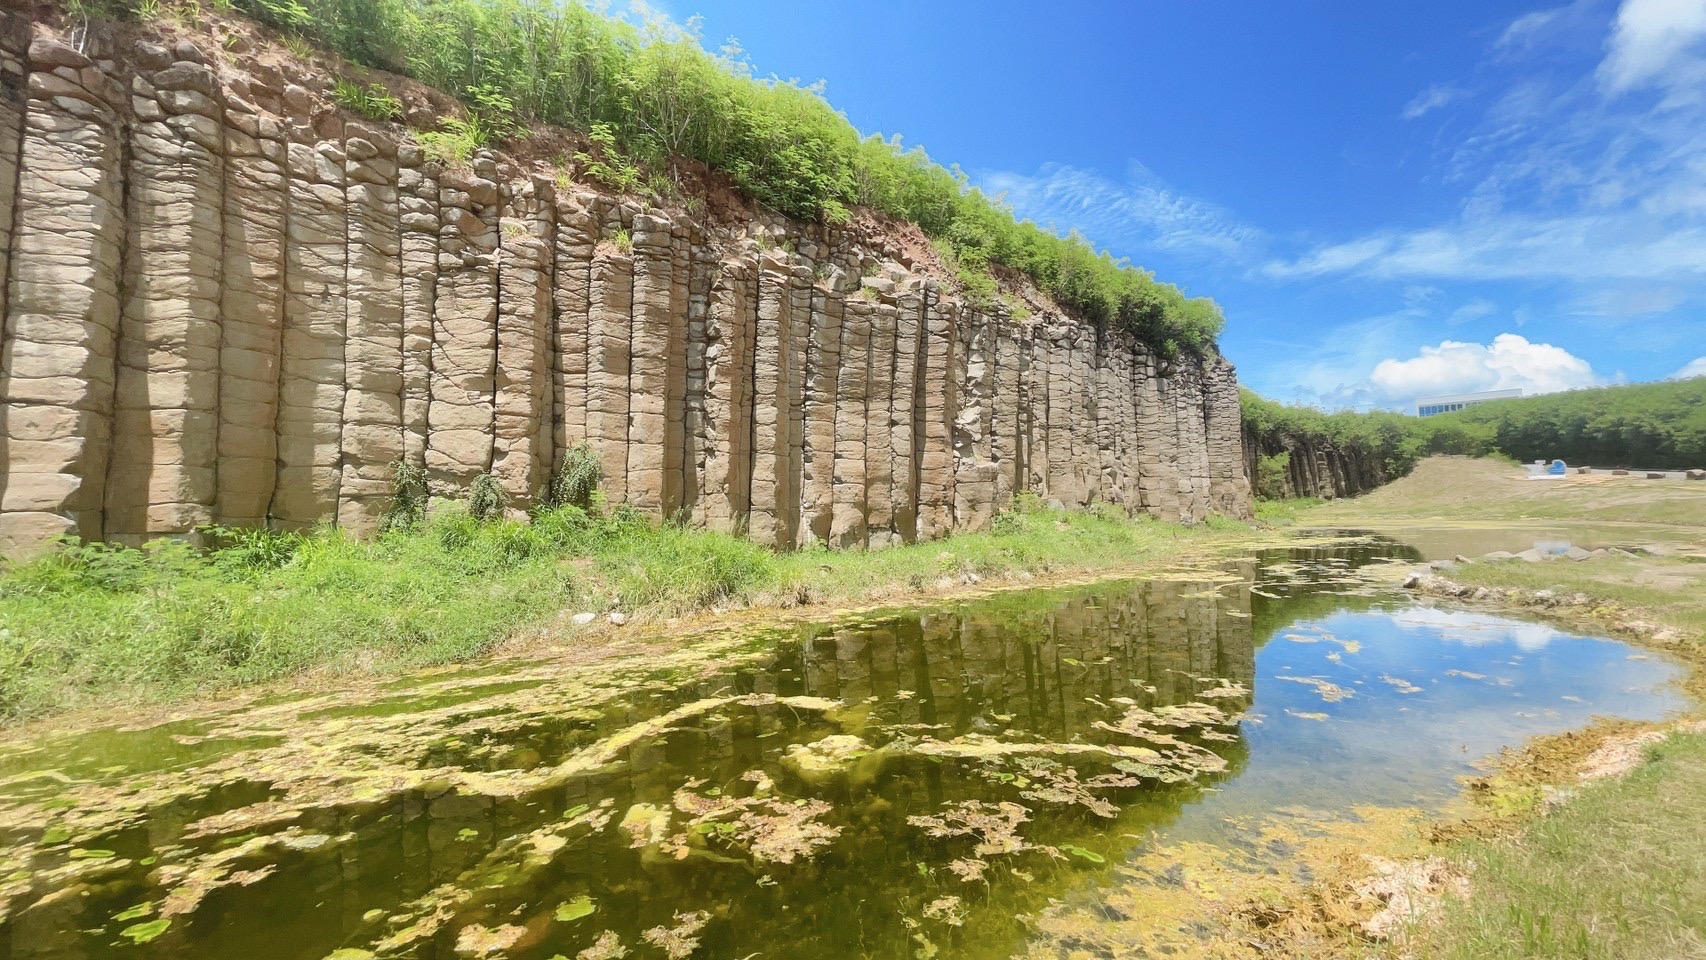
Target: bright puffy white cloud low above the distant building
[{"x": 1458, "y": 367}]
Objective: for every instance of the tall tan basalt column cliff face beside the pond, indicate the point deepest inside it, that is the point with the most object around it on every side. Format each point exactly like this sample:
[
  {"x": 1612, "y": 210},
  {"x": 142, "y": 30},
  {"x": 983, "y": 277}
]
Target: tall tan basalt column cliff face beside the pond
[{"x": 231, "y": 303}]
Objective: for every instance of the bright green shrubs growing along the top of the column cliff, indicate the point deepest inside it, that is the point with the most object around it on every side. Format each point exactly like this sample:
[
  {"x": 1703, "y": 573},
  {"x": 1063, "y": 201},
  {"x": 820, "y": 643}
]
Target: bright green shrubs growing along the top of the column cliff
[{"x": 651, "y": 95}]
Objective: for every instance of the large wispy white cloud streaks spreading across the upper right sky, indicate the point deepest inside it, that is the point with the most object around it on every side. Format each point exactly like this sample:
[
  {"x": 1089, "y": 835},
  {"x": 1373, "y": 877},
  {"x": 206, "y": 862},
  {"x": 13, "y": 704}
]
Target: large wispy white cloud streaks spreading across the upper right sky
[{"x": 1567, "y": 180}]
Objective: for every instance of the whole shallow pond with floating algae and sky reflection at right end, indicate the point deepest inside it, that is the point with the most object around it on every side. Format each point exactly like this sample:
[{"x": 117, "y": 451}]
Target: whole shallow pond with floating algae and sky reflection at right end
[{"x": 891, "y": 785}]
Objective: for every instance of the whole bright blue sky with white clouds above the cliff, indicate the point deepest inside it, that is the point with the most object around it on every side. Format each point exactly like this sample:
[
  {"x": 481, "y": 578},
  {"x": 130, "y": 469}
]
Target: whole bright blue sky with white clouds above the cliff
[{"x": 1388, "y": 199}]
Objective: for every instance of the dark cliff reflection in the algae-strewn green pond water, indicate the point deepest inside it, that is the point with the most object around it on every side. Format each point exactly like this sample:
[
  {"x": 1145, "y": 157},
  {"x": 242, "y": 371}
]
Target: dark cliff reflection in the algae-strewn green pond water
[{"x": 1030, "y": 669}]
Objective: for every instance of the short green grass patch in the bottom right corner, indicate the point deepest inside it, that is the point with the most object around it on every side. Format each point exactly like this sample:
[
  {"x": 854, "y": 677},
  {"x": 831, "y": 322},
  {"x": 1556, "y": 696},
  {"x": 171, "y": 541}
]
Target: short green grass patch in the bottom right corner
[{"x": 1620, "y": 872}]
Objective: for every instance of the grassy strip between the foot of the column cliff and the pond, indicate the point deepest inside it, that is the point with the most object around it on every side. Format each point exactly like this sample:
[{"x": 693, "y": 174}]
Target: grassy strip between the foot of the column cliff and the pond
[{"x": 98, "y": 625}]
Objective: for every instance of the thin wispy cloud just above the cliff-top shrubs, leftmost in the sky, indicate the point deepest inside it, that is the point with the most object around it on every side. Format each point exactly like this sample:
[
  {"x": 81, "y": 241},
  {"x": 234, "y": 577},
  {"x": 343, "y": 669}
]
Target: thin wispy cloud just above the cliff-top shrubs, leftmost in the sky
[{"x": 1139, "y": 214}]
